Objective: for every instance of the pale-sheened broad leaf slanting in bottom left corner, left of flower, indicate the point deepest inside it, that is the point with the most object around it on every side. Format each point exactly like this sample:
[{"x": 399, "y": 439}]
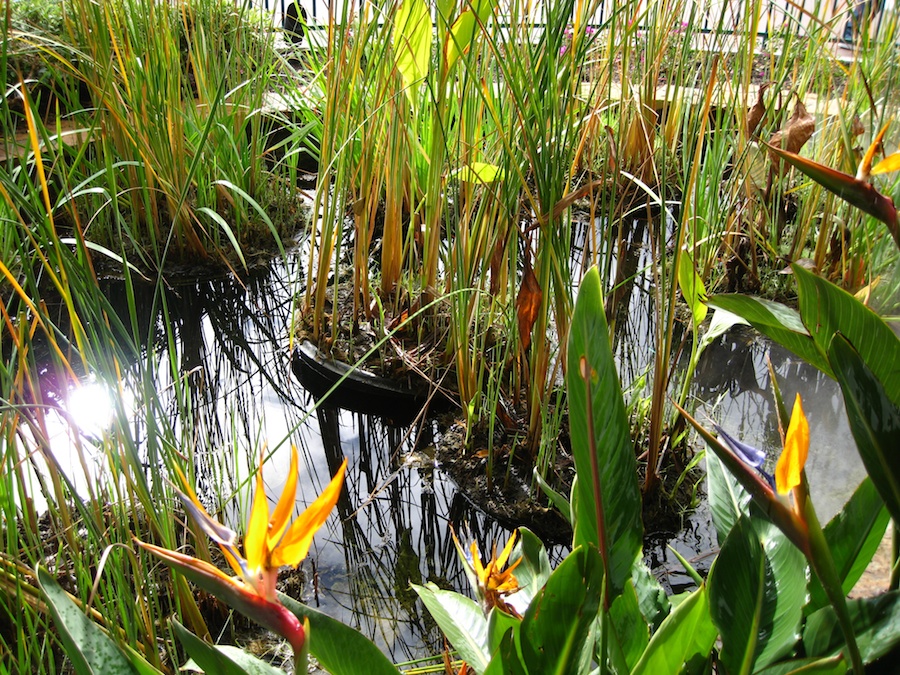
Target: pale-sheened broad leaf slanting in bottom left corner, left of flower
[{"x": 87, "y": 646}]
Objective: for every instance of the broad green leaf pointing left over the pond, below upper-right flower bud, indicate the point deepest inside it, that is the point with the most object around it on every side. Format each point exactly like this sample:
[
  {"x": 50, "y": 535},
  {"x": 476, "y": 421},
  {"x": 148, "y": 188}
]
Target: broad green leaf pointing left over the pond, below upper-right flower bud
[{"x": 776, "y": 321}]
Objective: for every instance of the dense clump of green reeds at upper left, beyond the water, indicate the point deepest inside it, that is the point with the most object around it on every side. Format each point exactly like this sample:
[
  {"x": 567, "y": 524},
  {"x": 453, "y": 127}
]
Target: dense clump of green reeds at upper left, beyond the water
[{"x": 173, "y": 103}]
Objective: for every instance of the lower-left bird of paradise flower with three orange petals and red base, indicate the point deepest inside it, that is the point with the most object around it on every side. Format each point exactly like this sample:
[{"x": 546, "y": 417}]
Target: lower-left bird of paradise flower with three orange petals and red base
[{"x": 270, "y": 542}]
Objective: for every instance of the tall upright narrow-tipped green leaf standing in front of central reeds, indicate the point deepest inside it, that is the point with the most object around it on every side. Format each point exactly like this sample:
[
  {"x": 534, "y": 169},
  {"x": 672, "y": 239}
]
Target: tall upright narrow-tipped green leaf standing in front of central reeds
[{"x": 596, "y": 407}]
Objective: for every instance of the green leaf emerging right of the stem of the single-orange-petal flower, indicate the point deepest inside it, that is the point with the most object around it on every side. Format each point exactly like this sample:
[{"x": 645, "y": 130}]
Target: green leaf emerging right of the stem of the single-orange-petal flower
[{"x": 853, "y": 536}]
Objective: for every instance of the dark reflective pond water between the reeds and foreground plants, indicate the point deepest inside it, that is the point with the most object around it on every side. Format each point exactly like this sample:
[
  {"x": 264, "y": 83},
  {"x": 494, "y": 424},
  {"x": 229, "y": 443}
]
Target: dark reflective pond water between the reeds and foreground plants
[{"x": 393, "y": 523}]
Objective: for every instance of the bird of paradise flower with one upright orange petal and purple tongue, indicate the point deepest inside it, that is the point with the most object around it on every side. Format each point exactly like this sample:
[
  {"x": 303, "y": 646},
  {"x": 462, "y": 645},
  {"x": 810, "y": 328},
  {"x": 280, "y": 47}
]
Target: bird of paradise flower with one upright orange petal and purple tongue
[{"x": 798, "y": 521}]
